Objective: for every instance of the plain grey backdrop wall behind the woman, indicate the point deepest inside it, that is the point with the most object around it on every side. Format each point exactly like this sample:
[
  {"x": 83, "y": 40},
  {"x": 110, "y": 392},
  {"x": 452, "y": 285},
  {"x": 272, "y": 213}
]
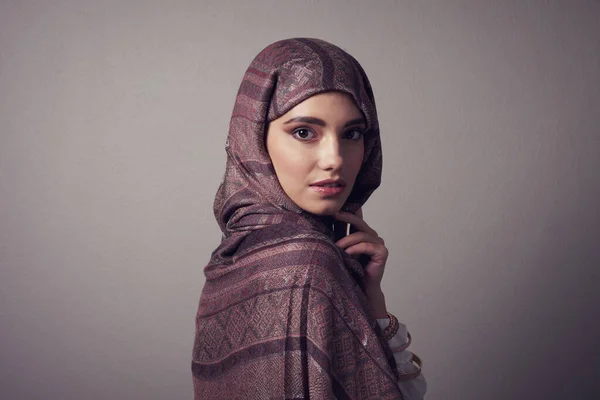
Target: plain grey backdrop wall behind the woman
[{"x": 113, "y": 118}]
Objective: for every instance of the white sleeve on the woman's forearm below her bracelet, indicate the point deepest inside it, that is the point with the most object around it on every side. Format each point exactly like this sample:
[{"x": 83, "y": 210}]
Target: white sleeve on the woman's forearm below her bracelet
[{"x": 413, "y": 389}]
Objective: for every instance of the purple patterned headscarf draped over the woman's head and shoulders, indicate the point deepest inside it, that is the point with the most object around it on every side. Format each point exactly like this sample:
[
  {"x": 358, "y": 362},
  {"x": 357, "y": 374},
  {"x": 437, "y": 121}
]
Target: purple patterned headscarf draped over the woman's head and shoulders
[{"x": 282, "y": 313}]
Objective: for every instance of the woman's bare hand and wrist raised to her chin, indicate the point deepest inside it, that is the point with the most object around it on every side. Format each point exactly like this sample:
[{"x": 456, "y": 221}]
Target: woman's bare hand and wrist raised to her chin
[{"x": 364, "y": 240}]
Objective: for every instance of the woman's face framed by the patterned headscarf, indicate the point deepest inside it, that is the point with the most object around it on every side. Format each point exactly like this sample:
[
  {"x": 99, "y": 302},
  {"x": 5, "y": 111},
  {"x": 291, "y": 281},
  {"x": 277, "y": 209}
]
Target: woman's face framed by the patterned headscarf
[{"x": 318, "y": 140}]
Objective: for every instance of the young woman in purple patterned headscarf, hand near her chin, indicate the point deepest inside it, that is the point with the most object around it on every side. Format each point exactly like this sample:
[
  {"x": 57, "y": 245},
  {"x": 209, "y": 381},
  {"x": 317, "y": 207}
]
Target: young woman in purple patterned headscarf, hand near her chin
[{"x": 292, "y": 307}]
